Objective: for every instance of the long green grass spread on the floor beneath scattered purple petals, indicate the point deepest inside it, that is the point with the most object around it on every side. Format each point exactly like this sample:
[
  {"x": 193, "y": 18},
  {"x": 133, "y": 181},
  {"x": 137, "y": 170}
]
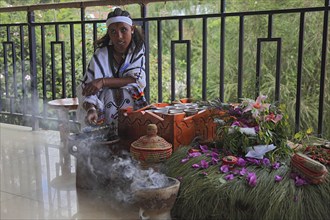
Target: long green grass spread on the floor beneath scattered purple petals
[{"x": 212, "y": 197}]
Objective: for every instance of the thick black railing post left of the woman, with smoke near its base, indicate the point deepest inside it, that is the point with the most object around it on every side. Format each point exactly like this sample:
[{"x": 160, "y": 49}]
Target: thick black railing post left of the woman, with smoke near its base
[{"x": 33, "y": 70}]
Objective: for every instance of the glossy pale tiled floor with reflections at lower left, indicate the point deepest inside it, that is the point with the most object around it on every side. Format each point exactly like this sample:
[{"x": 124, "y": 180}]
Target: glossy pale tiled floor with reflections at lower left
[{"x": 36, "y": 184}]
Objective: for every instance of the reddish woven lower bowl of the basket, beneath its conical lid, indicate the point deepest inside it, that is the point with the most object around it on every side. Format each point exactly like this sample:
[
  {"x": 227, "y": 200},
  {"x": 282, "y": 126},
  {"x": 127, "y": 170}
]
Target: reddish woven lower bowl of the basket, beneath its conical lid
[{"x": 151, "y": 155}]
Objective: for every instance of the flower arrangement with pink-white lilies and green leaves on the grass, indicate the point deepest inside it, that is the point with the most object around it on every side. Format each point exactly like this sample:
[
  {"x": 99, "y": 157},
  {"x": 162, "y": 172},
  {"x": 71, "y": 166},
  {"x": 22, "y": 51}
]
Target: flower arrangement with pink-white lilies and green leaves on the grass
[{"x": 252, "y": 124}]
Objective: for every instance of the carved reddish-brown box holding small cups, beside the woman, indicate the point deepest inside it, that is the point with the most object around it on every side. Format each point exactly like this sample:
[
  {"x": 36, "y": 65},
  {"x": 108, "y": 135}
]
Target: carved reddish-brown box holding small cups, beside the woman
[{"x": 177, "y": 129}]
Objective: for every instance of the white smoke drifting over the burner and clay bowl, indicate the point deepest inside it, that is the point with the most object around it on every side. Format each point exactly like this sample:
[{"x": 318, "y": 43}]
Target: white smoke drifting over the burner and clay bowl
[{"x": 117, "y": 173}]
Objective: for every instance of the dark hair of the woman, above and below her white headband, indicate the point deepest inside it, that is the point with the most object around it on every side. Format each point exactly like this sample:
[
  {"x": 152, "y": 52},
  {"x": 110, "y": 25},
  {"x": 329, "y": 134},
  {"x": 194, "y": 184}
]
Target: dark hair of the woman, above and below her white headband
[{"x": 137, "y": 35}]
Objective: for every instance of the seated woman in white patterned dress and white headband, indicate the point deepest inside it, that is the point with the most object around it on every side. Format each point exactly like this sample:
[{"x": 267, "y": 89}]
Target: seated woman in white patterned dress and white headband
[{"x": 115, "y": 77}]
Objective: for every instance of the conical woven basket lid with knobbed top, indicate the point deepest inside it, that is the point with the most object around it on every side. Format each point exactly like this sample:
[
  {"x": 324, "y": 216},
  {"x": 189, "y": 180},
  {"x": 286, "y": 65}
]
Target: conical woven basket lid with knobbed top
[{"x": 151, "y": 140}]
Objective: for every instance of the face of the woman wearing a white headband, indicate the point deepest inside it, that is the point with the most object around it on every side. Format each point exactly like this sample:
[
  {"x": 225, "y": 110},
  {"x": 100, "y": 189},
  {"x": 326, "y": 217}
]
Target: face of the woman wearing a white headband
[{"x": 121, "y": 35}]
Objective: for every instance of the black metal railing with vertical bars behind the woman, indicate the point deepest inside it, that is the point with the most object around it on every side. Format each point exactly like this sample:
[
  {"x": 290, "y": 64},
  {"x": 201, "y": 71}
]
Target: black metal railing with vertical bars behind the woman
[{"x": 30, "y": 56}]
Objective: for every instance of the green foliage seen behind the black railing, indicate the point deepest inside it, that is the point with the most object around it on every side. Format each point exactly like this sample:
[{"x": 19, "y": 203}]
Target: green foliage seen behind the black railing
[{"x": 285, "y": 26}]
